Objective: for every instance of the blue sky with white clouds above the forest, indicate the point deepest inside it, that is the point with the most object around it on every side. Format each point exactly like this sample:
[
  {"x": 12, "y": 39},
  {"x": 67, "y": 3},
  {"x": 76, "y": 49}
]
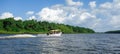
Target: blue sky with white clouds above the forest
[{"x": 99, "y": 15}]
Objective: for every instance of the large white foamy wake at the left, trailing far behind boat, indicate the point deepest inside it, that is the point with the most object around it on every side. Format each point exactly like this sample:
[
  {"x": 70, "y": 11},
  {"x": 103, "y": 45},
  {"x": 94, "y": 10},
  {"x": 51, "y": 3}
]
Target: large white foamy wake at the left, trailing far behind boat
[{"x": 18, "y": 36}]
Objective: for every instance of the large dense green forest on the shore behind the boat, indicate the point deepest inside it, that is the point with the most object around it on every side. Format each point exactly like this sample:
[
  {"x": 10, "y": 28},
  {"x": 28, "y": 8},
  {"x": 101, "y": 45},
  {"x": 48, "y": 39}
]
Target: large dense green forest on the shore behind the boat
[{"x": 11, "y": 26}]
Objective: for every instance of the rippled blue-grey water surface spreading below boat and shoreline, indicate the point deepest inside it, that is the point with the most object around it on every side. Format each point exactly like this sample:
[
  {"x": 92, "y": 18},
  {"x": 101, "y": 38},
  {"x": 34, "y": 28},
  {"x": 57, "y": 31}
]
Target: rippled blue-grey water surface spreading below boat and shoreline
[{"x": 67, "y": 44}]
